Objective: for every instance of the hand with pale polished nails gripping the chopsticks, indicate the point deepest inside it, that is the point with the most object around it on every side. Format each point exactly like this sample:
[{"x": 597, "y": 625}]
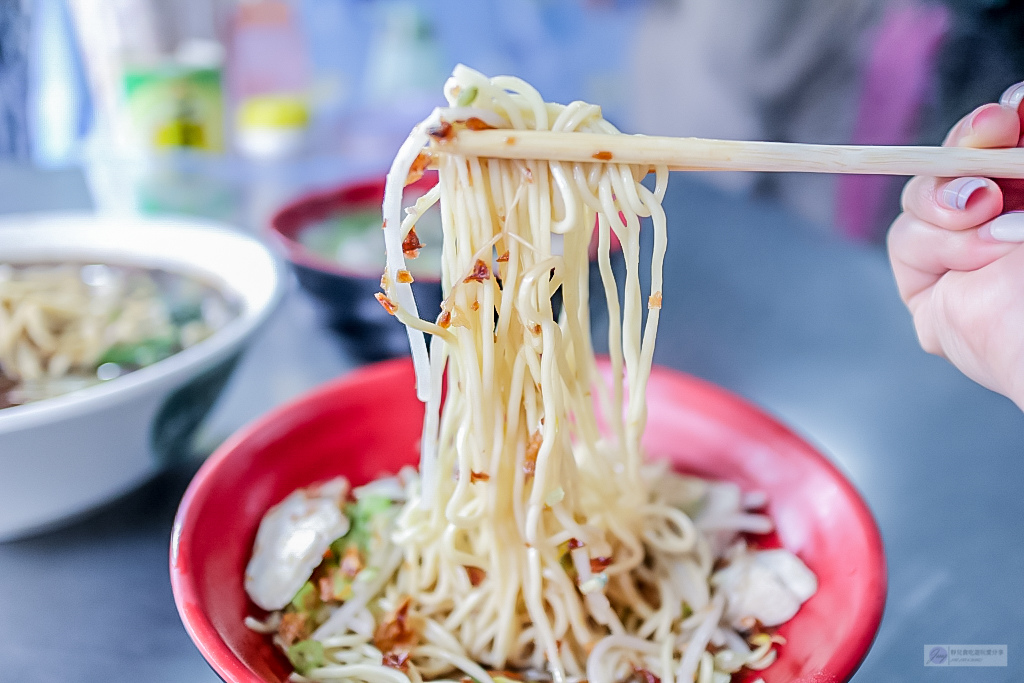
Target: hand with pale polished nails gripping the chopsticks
[{"x": 959, "y": 260}]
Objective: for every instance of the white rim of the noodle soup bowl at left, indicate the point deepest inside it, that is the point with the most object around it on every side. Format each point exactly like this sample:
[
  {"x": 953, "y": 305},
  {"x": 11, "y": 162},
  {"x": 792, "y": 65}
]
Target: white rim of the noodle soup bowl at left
[{"x": 205, "y": 355}]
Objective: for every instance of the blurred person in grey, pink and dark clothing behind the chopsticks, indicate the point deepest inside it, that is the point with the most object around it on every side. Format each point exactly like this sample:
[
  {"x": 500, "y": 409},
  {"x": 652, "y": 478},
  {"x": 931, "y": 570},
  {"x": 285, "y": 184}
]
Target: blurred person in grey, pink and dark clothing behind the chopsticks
[{"x": 869, "y": 72}]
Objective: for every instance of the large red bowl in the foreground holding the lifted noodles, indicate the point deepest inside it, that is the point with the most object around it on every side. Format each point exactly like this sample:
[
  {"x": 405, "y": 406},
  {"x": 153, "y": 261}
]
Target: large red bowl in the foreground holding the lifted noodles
[{"x": 368, "y": 423}]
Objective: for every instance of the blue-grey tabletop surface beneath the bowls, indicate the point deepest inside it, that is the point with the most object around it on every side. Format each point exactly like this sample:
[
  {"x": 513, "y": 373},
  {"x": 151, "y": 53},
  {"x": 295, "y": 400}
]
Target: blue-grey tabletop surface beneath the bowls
[{"x": 809, "y": 328}]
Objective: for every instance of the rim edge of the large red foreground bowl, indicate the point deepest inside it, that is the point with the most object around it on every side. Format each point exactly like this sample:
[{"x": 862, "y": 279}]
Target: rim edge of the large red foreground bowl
[{"x": 228, "y": 665}]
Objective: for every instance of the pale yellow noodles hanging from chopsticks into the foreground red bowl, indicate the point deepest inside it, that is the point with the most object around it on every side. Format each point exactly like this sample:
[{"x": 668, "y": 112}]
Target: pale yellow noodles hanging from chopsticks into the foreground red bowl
[{"x": 536, "y": 538}]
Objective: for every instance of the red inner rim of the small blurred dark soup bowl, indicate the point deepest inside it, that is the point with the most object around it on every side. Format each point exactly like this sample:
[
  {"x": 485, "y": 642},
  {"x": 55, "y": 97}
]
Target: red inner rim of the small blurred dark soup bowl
[{"x": 291, "y": 220}]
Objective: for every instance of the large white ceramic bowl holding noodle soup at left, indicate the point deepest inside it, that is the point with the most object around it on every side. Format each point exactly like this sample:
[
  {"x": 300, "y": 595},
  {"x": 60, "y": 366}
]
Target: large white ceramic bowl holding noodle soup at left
[{"x": 63, "y": 456}]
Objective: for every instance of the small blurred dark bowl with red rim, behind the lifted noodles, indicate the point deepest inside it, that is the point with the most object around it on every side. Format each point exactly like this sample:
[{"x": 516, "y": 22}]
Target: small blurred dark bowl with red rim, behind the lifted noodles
[{"x": 317, "y": 230}]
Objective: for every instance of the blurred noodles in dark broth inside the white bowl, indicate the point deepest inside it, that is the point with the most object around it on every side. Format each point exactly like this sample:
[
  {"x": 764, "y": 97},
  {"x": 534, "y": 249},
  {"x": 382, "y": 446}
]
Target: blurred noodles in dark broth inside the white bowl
[{"x": 61, "y": 323}]
